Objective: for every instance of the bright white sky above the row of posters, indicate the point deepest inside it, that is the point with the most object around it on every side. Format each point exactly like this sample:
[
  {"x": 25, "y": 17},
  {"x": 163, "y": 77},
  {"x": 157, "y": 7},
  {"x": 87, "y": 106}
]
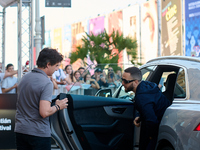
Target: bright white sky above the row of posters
[{"x": 80, "y": 10}]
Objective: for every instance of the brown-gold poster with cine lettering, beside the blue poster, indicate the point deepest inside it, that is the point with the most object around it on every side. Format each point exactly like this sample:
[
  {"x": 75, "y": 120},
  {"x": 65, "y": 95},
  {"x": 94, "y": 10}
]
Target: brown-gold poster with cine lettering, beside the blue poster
[{"x": 171, "y": 27}]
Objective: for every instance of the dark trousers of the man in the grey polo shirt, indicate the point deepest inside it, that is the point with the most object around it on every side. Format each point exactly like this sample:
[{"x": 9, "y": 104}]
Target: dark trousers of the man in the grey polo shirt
[{"x": 29, "y": 142}]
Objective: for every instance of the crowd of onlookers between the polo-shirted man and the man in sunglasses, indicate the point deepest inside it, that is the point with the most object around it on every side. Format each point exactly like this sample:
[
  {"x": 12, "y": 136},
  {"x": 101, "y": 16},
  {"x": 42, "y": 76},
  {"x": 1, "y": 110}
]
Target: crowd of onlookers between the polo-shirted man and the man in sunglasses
[{"x": 101, "y": 78}]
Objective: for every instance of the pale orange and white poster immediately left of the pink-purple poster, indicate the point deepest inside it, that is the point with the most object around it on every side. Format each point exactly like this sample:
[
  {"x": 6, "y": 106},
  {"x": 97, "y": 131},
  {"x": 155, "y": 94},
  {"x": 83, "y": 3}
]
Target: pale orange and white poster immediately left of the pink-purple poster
[{"x": 78, "y": 31}]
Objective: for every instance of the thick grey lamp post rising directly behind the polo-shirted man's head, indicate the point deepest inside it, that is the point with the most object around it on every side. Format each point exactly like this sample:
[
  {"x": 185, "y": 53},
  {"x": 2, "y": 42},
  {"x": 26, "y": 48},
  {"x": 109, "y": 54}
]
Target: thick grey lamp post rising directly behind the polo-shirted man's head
[{"x": 37, "y": 28}]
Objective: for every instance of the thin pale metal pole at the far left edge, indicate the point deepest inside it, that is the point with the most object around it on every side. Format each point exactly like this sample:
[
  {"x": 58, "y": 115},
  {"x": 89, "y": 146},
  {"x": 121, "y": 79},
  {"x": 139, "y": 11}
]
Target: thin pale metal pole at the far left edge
[{"x": 3, "y": 39}]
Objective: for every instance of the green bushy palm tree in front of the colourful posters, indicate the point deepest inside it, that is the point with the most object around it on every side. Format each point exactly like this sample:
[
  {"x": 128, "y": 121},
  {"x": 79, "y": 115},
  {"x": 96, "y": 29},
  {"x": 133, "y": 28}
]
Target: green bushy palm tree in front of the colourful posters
[{"x": 101, "y": 48}]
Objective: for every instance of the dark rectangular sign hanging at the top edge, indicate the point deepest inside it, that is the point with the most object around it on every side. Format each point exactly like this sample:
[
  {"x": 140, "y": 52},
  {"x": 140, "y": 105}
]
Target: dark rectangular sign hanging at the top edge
[{"x": 57, "y": 3}]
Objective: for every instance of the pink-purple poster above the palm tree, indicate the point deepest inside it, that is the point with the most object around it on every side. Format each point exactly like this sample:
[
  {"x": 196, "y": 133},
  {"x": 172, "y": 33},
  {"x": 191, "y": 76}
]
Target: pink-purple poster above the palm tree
[{"x": 96, "y": 25}]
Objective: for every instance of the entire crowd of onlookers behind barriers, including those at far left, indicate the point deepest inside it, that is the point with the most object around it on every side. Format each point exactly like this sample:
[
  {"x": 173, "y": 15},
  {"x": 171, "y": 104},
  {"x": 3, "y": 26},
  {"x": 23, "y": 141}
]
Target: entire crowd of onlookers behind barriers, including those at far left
[{"x": 67, "y": 76}]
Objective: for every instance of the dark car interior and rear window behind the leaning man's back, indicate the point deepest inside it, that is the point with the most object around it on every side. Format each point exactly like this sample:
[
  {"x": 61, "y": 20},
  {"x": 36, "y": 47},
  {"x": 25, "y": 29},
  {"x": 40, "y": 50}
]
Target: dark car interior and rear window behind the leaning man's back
[{"x": 173, "y": 84}]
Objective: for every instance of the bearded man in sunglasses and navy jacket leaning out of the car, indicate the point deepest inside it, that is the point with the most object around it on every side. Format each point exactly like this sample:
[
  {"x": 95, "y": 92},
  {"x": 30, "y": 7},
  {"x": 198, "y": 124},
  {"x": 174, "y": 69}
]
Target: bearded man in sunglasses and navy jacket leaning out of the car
[{"x": 149, "y": 102}]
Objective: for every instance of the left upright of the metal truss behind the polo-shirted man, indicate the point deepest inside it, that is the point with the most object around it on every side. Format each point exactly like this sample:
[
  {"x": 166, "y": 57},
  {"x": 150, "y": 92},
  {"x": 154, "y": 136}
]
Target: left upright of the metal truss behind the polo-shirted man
[{"x": 19, "y": 40}]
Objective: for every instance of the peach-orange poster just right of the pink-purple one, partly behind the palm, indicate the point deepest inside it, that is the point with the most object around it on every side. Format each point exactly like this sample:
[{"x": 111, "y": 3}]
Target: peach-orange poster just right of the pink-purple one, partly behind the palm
[{"x": 115, "y": 23}]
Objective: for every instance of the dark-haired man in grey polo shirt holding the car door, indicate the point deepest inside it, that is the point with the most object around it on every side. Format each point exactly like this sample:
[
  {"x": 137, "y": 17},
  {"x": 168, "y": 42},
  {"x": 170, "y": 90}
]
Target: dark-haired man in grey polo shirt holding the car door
[{"x": 35, "y": 90}]
